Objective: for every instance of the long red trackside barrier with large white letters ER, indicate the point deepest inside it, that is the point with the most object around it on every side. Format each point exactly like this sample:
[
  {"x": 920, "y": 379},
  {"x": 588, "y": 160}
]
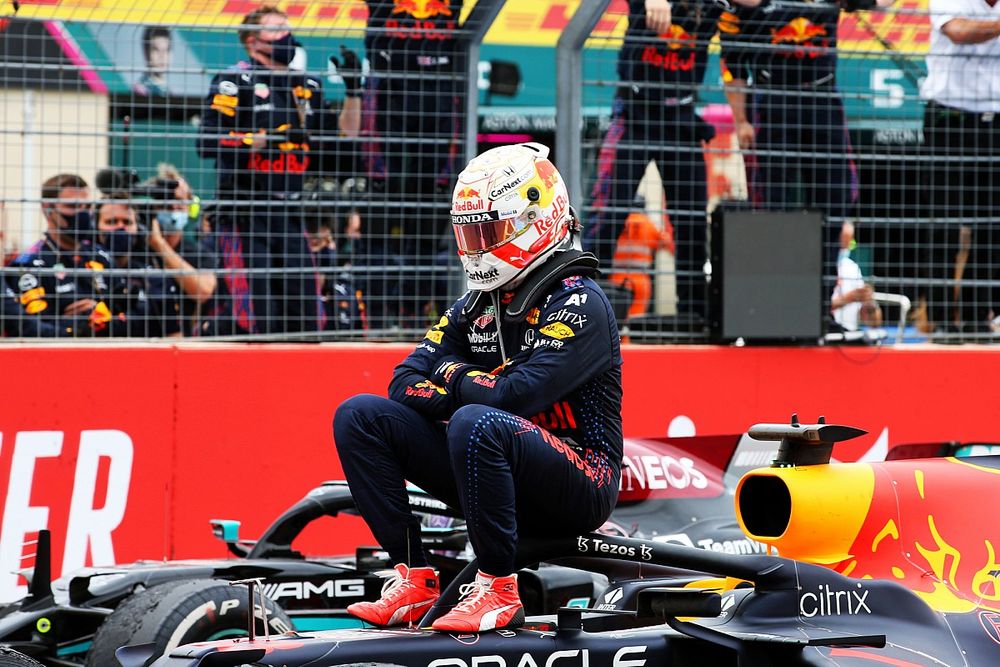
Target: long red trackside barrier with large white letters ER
[{"x": 127, "y": 452}]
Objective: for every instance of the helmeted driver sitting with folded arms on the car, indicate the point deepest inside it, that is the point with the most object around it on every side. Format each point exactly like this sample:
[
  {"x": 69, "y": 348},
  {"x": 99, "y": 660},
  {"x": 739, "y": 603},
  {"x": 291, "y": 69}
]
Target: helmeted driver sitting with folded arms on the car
[{"x": 510, "y": 407}]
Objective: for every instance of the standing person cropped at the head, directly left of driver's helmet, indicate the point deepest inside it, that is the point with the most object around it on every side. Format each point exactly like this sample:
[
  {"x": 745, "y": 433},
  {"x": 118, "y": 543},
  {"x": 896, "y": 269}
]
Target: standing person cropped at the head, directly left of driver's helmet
[{"x": 412, "y": 119}]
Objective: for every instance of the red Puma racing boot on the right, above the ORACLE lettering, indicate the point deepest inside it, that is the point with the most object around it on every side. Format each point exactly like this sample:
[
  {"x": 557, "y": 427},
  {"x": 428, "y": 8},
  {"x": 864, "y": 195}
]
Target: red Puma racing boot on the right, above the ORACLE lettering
[{"x": 490, "y": 603}]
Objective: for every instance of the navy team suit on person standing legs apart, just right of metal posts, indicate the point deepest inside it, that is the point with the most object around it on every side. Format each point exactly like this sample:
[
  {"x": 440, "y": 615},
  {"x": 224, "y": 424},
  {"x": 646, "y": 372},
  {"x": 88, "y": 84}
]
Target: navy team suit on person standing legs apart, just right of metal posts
[{"x": 653, "y": 118}]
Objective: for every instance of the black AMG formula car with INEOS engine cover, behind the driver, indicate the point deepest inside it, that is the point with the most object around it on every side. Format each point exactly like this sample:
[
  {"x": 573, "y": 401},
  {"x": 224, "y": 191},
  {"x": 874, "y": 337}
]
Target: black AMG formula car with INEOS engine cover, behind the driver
[{"x": 674, "y": 490}]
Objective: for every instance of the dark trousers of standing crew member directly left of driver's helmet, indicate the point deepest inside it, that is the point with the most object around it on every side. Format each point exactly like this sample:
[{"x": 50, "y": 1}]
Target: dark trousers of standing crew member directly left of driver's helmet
[{"x": 412, "y": 149}]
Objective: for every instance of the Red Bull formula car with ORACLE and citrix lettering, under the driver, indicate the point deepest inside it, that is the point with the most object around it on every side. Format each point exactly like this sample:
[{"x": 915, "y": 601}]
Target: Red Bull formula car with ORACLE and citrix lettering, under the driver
[{"x": 892, "y": 569}]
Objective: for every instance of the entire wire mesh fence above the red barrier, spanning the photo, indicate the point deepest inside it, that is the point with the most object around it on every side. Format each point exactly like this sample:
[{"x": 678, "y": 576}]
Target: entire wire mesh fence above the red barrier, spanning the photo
[{"x": 247, "y": 185}]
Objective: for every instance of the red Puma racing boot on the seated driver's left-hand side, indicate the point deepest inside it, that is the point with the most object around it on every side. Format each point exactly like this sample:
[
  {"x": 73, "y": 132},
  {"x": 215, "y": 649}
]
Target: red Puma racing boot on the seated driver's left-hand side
[{"x": 407, "y": 595}]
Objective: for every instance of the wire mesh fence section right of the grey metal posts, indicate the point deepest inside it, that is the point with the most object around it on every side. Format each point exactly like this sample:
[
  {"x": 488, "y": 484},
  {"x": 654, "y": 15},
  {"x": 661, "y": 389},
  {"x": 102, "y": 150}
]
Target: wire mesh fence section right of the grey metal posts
[{"x": 840, "y": 117}]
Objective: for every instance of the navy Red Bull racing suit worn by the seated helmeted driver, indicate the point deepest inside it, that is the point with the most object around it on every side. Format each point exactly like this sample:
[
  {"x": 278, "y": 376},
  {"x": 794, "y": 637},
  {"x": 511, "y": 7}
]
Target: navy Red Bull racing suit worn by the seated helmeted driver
[{"x": 533, "y": 439}]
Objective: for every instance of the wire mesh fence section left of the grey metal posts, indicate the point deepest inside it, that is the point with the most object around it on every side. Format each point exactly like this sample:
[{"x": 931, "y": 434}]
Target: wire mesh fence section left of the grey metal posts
[{"x": 204, "y": 171}]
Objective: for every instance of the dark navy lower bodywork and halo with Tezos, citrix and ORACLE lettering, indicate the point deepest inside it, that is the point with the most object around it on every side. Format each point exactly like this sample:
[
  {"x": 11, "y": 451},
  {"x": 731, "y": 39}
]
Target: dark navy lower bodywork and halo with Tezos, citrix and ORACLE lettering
[{"x": 785, "y": 613}]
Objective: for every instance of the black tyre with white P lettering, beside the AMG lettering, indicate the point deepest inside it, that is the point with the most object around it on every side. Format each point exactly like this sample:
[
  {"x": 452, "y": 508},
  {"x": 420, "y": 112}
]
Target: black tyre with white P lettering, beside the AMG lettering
[{"x": 172, "y": 614}]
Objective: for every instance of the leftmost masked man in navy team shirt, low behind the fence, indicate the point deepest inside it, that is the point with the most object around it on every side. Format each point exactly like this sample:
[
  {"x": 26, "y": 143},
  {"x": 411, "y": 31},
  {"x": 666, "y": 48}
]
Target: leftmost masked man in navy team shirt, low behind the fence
[{"x": 52, "y": 294}]
